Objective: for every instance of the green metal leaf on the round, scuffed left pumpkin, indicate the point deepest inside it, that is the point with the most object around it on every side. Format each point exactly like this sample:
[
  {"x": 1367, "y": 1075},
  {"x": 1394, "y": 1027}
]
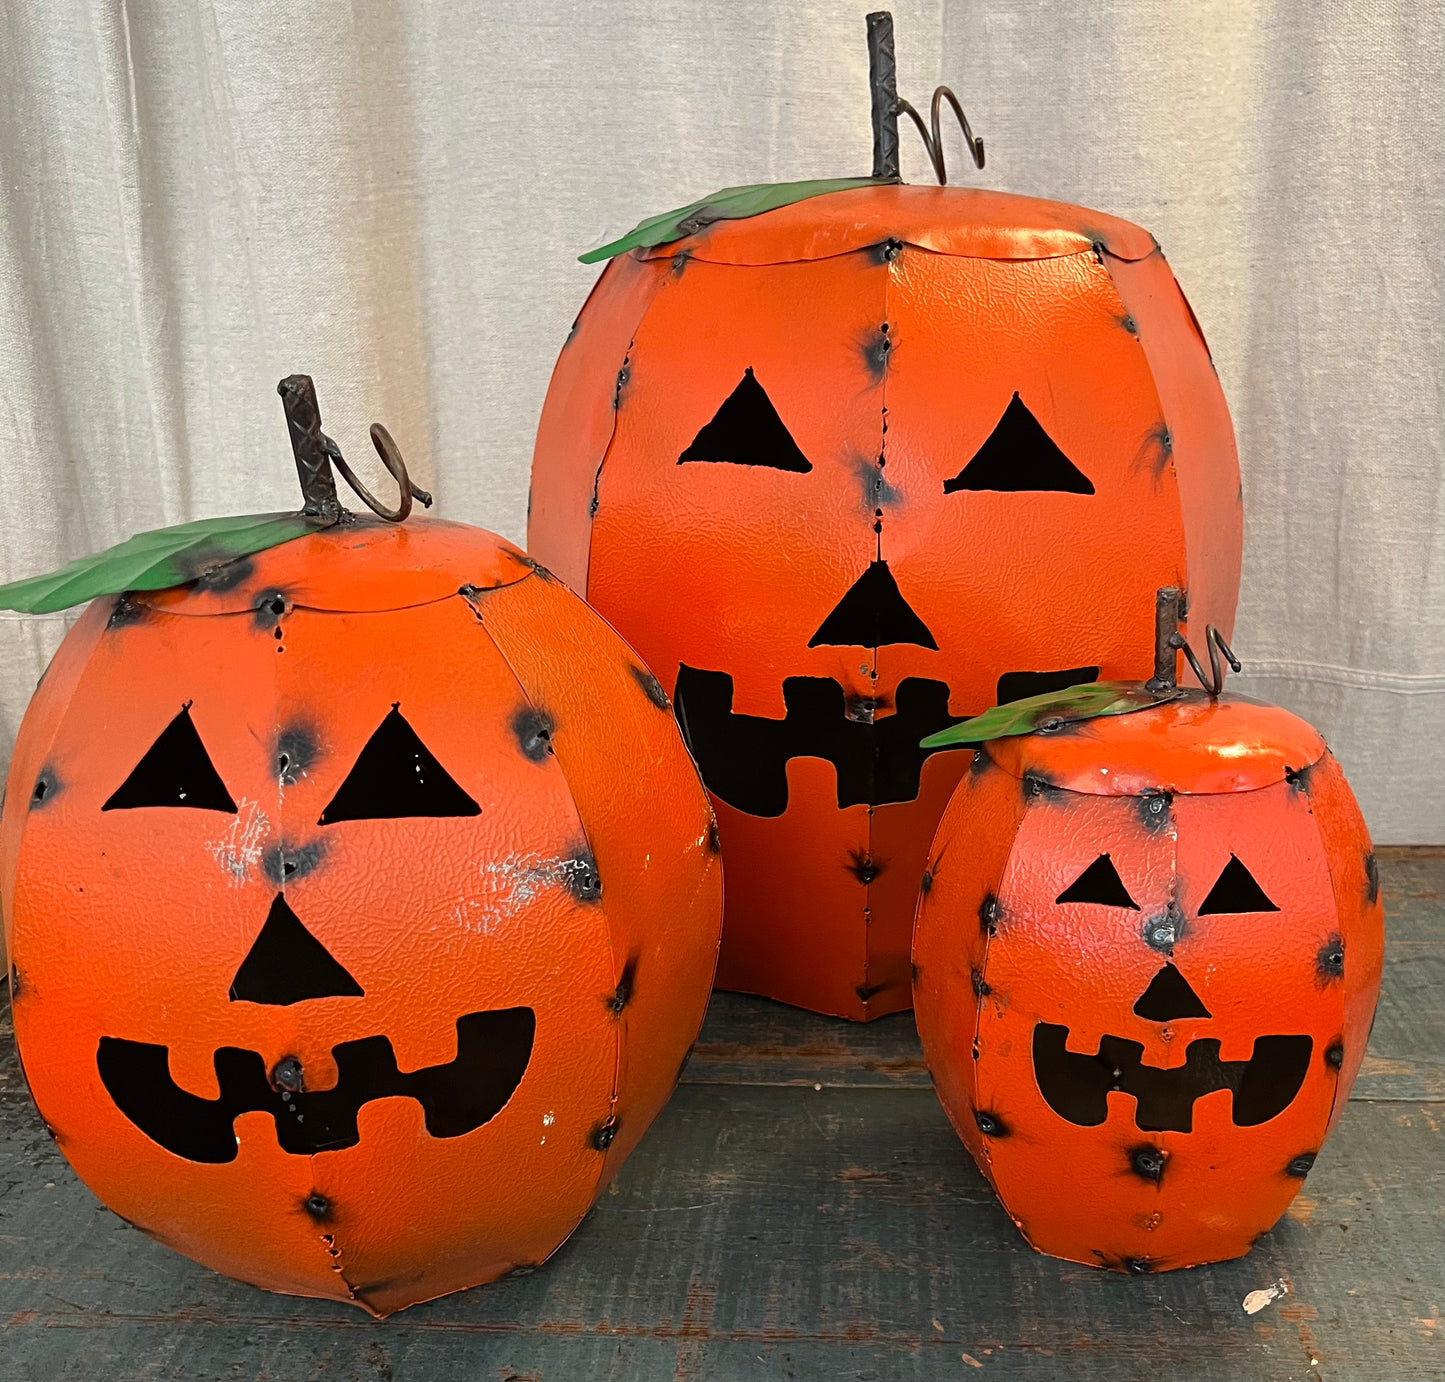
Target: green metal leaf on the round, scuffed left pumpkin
[{"x": 157, "y": 560}]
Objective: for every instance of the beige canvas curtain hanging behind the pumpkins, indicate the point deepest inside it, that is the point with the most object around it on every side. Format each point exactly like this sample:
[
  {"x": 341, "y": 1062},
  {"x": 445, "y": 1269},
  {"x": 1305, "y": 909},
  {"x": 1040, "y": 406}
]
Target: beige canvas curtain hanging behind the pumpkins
[{"x": 389, "y": 194}]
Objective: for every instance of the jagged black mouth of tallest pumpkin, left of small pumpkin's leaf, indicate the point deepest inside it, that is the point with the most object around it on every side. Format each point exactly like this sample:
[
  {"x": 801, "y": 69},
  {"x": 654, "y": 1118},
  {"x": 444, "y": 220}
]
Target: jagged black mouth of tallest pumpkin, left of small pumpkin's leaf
[{"x": 743, "y": 760}]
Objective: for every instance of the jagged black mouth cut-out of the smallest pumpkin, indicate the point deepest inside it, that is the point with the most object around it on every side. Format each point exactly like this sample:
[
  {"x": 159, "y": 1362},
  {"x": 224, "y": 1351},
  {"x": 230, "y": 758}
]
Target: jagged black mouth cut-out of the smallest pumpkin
[{"x": 1077, "y": 1086}]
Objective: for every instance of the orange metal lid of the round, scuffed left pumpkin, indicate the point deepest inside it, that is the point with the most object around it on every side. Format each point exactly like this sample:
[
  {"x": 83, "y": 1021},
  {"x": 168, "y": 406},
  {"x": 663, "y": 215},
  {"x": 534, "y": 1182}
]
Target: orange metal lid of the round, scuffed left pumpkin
[{"x": 355, "y": 567}]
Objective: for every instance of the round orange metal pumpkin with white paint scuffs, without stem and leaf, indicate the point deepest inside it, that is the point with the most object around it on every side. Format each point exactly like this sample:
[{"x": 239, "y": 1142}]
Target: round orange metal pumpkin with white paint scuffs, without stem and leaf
[{"x": 362, "y": 913}]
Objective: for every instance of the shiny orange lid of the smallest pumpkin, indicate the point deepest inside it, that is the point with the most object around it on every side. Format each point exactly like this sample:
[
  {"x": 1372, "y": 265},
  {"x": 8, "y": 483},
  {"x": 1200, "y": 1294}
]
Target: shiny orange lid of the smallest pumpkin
[{"x": 1190, "y": 745}]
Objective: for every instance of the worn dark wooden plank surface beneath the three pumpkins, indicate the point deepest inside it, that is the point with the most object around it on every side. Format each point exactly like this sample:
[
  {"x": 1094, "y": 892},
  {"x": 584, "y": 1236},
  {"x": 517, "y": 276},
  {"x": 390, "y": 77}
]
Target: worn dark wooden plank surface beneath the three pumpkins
[{"x": 803, "y": 1211}]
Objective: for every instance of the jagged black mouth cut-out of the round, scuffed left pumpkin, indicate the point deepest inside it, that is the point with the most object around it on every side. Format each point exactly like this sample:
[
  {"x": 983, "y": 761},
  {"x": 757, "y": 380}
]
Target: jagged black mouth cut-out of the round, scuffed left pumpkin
[{"x": 493, "y": 1052}]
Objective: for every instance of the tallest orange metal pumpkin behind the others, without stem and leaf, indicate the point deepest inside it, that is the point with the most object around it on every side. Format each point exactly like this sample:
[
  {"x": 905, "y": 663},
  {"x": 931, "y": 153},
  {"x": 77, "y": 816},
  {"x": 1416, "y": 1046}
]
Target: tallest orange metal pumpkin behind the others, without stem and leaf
[{"x": 856, "y": 469}]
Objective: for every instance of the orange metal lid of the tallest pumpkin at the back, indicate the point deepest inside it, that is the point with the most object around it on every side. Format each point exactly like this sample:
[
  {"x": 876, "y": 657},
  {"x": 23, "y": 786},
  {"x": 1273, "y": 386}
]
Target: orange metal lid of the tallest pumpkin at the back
[{"x": 949, "y": 220}]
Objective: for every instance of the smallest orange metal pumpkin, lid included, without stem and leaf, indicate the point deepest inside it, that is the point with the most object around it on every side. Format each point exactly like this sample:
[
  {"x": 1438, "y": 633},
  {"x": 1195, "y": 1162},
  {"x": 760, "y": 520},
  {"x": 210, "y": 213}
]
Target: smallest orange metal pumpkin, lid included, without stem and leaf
[{"x": 1147, "y": 961}]
